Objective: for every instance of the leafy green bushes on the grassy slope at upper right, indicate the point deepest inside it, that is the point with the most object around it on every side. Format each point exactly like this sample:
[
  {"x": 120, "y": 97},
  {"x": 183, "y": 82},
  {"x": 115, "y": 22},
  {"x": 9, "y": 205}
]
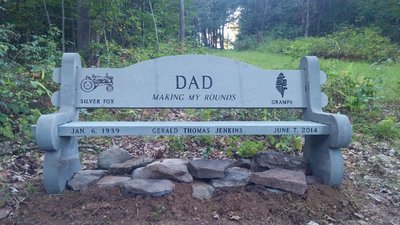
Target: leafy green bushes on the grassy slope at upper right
[{"x": 347, "y": 43}]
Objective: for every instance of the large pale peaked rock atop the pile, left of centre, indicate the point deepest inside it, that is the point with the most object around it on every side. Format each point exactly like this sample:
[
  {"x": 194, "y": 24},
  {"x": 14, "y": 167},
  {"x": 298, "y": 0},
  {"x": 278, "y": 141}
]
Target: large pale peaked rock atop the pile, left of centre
[{"x": 171, "y": 169}]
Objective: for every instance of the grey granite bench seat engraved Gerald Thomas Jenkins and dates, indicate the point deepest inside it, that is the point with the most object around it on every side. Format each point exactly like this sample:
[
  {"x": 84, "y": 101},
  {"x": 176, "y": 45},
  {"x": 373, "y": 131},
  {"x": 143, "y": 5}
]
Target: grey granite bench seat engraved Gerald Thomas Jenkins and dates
[{"x": 118, "y": 128}]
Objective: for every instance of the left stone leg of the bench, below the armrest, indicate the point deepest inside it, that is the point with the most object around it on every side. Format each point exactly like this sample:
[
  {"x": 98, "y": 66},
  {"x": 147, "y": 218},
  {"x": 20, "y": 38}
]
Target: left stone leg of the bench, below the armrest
[{"x": 60, "y": 165}]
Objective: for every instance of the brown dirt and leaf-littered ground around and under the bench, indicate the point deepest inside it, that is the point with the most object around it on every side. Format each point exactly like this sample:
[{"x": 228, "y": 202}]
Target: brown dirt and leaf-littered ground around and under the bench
[{"x": 370, "y": 193}]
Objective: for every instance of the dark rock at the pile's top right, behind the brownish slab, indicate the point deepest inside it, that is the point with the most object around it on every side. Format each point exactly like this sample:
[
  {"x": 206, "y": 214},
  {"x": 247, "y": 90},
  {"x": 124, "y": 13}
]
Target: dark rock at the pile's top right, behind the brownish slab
[{"x": 273, "y": 159}]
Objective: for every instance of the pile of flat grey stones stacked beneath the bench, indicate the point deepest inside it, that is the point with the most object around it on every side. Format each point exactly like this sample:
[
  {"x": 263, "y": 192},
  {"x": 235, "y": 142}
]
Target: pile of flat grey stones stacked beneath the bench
[{"x": 146, "y": 176}]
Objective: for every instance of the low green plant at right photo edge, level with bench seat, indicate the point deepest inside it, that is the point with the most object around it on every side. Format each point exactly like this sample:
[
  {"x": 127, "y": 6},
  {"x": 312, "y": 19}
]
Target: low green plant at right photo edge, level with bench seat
[{"x": 387, "y": 129}]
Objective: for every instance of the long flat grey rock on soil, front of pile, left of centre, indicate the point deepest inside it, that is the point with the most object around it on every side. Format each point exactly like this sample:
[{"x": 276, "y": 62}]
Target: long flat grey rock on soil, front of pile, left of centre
[{"x": 148, "y": 187}]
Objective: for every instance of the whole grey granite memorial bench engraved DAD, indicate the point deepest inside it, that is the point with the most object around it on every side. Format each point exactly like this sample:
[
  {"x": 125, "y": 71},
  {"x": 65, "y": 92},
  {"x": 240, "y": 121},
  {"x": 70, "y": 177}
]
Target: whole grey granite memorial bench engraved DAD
[{"x": 189, "y": 81}]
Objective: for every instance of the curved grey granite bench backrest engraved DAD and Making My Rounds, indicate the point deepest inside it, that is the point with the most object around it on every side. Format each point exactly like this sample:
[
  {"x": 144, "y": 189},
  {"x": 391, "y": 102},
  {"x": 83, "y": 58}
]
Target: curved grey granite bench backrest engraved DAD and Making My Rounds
[{"x": 186, "y": 81}]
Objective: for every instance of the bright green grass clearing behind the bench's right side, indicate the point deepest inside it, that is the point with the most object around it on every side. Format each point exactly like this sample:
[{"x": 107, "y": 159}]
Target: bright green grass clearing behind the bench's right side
[{"x": 390, "y": 73}]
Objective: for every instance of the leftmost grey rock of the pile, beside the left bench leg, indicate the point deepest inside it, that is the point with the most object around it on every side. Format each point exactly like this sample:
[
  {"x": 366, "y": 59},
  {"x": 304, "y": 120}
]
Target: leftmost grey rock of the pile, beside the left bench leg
[{"x": 84, "y": 178}]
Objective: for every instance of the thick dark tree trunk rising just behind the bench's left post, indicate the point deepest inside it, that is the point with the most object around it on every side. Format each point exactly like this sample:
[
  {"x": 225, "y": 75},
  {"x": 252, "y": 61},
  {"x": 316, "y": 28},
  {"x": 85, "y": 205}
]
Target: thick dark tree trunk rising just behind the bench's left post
[{"x": 83, "y": 29}]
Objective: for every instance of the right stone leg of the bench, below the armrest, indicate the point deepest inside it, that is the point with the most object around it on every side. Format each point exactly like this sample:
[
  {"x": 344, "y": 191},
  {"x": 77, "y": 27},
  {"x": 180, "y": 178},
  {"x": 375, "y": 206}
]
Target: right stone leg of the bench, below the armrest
[{"x": 326, "y": 163}]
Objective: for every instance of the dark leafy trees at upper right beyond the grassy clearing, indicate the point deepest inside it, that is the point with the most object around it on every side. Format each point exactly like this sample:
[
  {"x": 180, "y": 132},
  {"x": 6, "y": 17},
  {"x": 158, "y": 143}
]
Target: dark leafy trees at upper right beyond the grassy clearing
[{"x": 287, "y": 19}]
